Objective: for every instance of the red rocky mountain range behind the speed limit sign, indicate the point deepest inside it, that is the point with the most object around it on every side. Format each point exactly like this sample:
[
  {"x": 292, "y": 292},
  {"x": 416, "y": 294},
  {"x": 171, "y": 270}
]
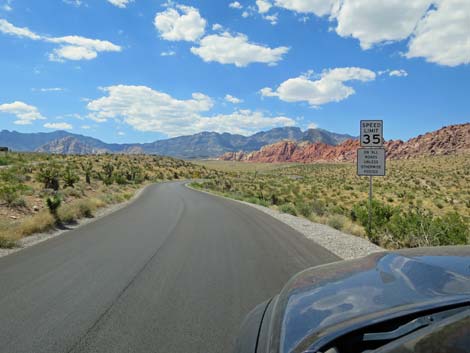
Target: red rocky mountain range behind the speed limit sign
[{"x": 452, "y": 139}]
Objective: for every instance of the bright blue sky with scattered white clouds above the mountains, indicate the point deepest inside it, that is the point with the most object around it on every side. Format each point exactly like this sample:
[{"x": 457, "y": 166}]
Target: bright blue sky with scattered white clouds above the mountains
[{"x": 138, "y": 71}]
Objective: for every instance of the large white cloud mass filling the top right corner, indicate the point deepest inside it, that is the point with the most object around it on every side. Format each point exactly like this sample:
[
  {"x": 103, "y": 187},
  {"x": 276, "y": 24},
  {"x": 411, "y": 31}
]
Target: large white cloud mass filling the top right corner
[{"x": 436, "y": 30}]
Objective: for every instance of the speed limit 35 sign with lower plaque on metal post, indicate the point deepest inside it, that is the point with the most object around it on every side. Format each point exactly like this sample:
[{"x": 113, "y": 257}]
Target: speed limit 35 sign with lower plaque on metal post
[{"x": 371, "y": 158}]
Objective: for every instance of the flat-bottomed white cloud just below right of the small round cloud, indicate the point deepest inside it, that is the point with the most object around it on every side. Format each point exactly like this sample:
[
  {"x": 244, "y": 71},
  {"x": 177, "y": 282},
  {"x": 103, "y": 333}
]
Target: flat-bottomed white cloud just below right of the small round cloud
[{"x": 226, "y": 48}]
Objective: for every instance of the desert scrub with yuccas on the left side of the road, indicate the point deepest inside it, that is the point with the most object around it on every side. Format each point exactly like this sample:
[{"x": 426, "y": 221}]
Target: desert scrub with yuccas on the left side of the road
[{"x": 40, "y": 192}]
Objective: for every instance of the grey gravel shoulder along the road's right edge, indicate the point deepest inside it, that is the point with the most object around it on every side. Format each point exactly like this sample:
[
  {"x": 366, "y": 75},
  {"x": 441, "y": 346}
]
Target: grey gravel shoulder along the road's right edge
[{"x": 344, "y": 245}]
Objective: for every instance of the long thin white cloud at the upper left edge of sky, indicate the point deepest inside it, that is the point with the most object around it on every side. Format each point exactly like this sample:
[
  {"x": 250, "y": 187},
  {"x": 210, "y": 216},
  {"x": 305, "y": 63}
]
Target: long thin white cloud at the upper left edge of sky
[{"x": 70, "y": 47}]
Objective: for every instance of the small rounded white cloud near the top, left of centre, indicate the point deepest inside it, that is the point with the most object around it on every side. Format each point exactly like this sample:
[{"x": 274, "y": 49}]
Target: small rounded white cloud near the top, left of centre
[{"x": 180, "y": 23}]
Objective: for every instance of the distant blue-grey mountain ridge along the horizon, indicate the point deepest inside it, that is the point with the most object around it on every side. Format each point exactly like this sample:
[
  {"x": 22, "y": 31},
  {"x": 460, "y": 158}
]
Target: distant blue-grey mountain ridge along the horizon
[{"x": 201, "y": 145}]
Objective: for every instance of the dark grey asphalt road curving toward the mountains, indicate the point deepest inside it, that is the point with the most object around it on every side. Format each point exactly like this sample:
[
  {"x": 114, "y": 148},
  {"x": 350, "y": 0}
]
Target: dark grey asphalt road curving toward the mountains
[{"x": 175, "y": 271}]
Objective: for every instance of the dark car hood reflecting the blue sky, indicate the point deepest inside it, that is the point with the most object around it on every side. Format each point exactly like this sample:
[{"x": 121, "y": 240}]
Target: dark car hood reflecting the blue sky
[{"x": 326, "y": 300}]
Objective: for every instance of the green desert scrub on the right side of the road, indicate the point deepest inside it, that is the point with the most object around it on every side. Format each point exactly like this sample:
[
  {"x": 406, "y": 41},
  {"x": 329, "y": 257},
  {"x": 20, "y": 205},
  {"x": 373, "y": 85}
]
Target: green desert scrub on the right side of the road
[{"x": 421, "y": 202}]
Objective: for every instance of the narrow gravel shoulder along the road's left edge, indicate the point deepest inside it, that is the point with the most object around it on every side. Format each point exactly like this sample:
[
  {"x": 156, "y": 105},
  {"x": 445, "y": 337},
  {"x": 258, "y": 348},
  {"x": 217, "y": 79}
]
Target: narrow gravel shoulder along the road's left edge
[{"x": 40, "y": 237}]
